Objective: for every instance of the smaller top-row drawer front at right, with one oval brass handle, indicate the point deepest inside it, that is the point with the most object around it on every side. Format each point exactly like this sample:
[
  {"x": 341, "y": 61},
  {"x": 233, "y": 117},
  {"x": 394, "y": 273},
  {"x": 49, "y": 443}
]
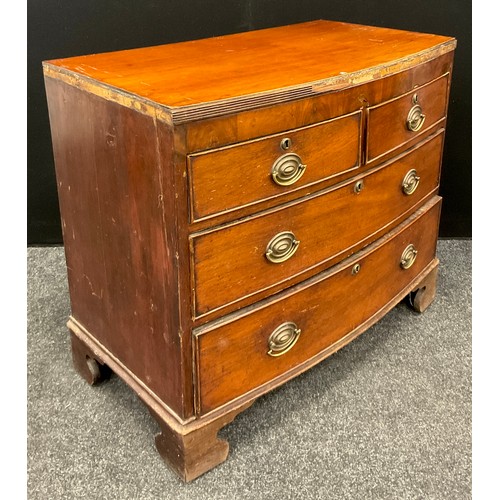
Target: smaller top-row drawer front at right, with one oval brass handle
[{"x": 393, "y": 123}]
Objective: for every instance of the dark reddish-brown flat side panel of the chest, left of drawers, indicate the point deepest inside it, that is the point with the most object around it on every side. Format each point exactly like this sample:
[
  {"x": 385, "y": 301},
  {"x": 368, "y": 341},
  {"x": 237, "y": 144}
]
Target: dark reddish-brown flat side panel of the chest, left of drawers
[{"x": 121, "y": 266}]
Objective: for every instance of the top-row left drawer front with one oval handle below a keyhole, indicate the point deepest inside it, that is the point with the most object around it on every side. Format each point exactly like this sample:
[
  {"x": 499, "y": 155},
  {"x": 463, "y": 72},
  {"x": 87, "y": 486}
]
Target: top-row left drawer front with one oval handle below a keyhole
[{"x": 224, "y": 179}]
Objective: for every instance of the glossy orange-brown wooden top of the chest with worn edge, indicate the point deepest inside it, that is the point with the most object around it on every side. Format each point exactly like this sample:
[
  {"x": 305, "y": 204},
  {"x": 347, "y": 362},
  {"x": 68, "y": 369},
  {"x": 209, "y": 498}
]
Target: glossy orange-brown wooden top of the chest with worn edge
[{"x": 303, "y": 58}]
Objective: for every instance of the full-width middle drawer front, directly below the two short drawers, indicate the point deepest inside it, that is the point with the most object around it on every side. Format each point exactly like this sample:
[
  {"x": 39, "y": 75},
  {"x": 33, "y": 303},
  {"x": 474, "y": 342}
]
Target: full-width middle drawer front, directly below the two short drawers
[{"x": 233, "y": 262}]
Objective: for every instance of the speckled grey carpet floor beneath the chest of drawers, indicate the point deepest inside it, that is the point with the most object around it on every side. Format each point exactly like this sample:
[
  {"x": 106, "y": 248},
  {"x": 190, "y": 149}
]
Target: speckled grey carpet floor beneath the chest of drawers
[{"x": 387, "y": 417}]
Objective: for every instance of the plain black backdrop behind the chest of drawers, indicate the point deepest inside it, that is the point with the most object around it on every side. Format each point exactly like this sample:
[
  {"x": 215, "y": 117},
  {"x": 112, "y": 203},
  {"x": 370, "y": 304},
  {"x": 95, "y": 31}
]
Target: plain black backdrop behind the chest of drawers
[{"x": 63, "y": 28}]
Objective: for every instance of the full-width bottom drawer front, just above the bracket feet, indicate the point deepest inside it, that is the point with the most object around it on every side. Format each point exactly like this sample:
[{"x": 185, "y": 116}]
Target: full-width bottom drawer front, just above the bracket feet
[{"x": 254, "y": 348}]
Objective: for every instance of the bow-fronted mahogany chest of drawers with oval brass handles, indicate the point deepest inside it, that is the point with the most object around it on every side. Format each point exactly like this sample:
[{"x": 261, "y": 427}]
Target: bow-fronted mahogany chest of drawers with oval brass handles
[{"x": 236, "y": 209}]
